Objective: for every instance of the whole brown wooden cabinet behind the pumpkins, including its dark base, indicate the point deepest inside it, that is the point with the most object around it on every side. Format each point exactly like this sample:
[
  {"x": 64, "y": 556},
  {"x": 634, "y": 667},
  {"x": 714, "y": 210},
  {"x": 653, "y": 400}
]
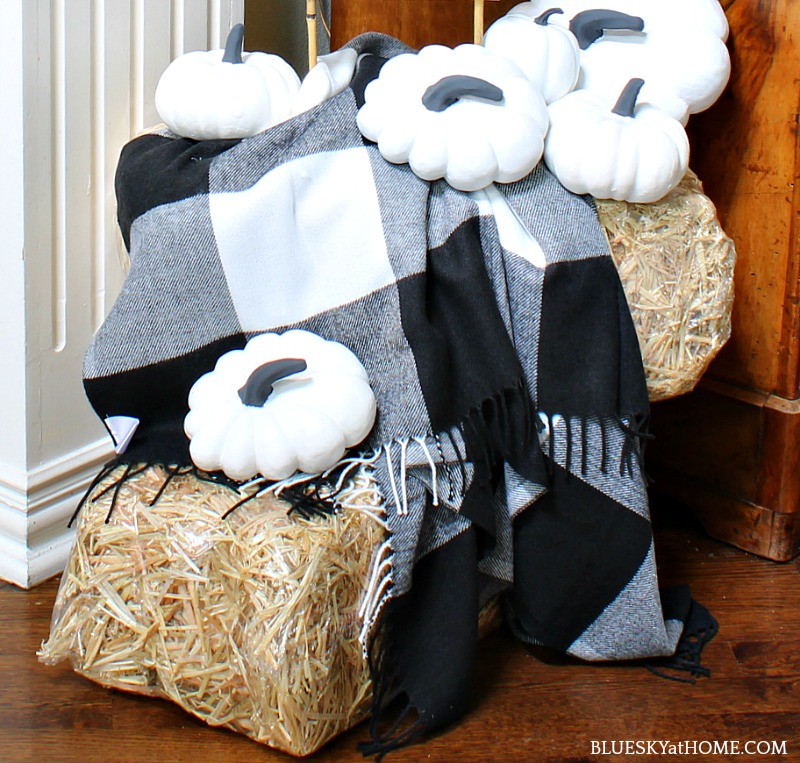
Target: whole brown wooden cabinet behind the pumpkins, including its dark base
[{"x": 731, "y": 449}]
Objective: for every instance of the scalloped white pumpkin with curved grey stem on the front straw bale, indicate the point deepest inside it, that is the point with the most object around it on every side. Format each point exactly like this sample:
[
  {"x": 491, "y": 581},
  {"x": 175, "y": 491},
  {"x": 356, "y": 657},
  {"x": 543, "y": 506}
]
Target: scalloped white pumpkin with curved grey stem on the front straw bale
[{"x": 285, "y": 403}]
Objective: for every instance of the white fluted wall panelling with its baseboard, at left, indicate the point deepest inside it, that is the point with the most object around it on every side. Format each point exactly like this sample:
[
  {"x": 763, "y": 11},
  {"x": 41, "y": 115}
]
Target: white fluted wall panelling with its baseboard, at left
[{"x": 97, "y": 66}]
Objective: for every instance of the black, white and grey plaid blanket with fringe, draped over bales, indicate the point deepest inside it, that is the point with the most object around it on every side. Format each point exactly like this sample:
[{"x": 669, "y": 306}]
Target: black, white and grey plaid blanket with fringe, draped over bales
[{"x": 493, "y": 326}]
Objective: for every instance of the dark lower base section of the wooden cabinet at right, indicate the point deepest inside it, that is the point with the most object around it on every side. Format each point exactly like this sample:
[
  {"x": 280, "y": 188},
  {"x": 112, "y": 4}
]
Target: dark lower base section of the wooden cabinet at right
[{"x": 733, "y": 455}]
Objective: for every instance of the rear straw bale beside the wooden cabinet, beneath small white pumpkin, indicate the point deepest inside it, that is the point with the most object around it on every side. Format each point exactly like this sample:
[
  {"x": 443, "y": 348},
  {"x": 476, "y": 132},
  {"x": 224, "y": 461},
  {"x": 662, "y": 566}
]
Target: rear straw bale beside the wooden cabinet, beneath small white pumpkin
[{"x": 676, "y": 267}]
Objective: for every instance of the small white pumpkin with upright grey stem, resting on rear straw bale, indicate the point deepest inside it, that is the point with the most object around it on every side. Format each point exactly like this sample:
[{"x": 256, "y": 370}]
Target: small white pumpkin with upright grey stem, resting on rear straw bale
[{"x": 632, "y": 152}]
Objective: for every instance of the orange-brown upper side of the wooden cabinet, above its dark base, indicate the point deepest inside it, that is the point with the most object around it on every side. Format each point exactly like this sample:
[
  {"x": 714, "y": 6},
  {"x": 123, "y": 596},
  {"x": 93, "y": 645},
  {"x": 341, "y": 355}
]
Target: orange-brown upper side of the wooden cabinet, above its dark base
[{"x": 745, "y": 149}]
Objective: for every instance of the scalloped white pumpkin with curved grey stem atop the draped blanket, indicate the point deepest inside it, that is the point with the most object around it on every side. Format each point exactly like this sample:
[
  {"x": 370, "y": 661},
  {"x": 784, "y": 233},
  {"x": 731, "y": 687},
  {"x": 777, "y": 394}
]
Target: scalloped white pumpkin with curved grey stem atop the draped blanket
[{"x": 462, "y": 114}]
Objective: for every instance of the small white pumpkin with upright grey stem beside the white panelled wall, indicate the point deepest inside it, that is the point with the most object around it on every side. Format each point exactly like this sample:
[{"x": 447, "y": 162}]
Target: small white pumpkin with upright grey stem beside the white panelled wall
[{"x": 206, "y": 95}]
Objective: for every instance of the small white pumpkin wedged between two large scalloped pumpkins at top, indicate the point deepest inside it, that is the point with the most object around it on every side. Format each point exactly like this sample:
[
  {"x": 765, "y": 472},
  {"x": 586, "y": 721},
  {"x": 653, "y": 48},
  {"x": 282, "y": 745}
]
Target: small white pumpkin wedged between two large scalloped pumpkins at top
[{"x": 546, "y": 53}]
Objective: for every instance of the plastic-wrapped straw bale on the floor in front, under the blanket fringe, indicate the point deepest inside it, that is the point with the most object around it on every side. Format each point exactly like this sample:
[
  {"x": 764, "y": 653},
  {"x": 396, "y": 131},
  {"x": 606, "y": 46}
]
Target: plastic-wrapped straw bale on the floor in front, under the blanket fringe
[{"x": 249, "y": 622}]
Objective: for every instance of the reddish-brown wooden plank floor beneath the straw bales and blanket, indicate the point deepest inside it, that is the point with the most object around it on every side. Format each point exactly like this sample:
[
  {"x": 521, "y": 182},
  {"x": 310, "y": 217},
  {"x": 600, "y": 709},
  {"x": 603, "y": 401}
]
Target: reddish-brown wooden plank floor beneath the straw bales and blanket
[{"x": 529, "y": 707}]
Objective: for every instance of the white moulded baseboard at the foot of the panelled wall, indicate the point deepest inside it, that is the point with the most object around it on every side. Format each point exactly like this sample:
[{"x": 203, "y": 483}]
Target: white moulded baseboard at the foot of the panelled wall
[{"x": 35, "y": 508}]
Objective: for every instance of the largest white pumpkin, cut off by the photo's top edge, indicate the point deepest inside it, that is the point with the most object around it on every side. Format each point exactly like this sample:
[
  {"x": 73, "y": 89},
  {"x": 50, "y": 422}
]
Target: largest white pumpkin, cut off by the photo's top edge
[{"x": 680, "y": 53}]
